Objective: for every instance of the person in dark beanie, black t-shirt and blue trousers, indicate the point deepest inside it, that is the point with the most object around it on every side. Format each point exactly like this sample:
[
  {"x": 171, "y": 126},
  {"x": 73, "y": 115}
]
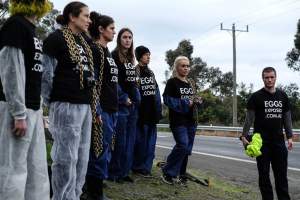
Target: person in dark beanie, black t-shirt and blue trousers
[{"x": 148, "y": 116}]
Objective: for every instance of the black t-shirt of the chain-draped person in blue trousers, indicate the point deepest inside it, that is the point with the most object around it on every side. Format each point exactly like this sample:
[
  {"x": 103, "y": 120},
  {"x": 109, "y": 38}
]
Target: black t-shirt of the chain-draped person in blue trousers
[{"x": 109, "y": 89}]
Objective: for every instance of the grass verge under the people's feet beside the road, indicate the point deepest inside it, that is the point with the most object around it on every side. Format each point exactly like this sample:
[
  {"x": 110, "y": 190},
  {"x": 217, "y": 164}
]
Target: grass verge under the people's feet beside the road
[{"x": 155, "y": 189}]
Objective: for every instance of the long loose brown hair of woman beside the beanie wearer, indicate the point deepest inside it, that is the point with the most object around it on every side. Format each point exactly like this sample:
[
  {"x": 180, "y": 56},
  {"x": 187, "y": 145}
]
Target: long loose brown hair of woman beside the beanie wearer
[{"x": 129, "y": 55}]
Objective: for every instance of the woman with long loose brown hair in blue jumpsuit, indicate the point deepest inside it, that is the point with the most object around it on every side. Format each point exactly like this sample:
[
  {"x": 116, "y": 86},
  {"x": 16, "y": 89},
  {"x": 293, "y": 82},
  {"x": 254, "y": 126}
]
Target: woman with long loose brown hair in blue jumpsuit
[{"x": 129, "y": 99}]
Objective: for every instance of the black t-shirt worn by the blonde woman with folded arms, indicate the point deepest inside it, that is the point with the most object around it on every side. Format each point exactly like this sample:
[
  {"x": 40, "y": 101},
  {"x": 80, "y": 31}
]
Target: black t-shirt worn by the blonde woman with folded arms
[{"x": 178, "y": 89}]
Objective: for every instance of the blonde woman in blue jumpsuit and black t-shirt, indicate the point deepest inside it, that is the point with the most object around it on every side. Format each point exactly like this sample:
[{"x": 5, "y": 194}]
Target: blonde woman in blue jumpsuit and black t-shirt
[{"x": 179, "y": 96}]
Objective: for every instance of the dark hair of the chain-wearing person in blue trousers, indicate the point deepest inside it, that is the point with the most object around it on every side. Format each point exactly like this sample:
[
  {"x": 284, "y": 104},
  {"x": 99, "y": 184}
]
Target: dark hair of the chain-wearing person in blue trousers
[{"x": 98, "y": 20}]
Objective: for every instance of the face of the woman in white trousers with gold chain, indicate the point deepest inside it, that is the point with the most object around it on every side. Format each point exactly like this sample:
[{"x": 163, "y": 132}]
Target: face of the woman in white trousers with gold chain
[{"x": 83, "y": 21}]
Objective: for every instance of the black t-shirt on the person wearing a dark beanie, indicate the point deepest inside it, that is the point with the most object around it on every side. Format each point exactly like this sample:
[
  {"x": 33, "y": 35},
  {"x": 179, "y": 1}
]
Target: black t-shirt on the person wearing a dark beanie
[{"x": 148, "y": 112}]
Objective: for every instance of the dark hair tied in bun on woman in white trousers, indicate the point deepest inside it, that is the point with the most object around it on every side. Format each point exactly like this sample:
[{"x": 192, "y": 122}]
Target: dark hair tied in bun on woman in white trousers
[{"x": 73, "y": 8}]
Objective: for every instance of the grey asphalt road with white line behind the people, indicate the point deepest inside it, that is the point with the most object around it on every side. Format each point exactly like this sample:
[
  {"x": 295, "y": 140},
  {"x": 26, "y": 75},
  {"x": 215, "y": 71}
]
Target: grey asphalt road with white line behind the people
[{"x": 224, "y": 157}]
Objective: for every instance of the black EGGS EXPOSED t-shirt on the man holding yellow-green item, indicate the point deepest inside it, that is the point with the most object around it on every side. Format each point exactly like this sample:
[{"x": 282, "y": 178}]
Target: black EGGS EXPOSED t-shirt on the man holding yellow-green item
[{"x": 269, "y": 109}]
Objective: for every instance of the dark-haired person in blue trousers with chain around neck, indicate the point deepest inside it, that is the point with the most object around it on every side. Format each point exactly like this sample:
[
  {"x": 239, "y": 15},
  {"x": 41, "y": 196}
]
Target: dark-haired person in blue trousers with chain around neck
[{"x": 102, "y": 30}]
